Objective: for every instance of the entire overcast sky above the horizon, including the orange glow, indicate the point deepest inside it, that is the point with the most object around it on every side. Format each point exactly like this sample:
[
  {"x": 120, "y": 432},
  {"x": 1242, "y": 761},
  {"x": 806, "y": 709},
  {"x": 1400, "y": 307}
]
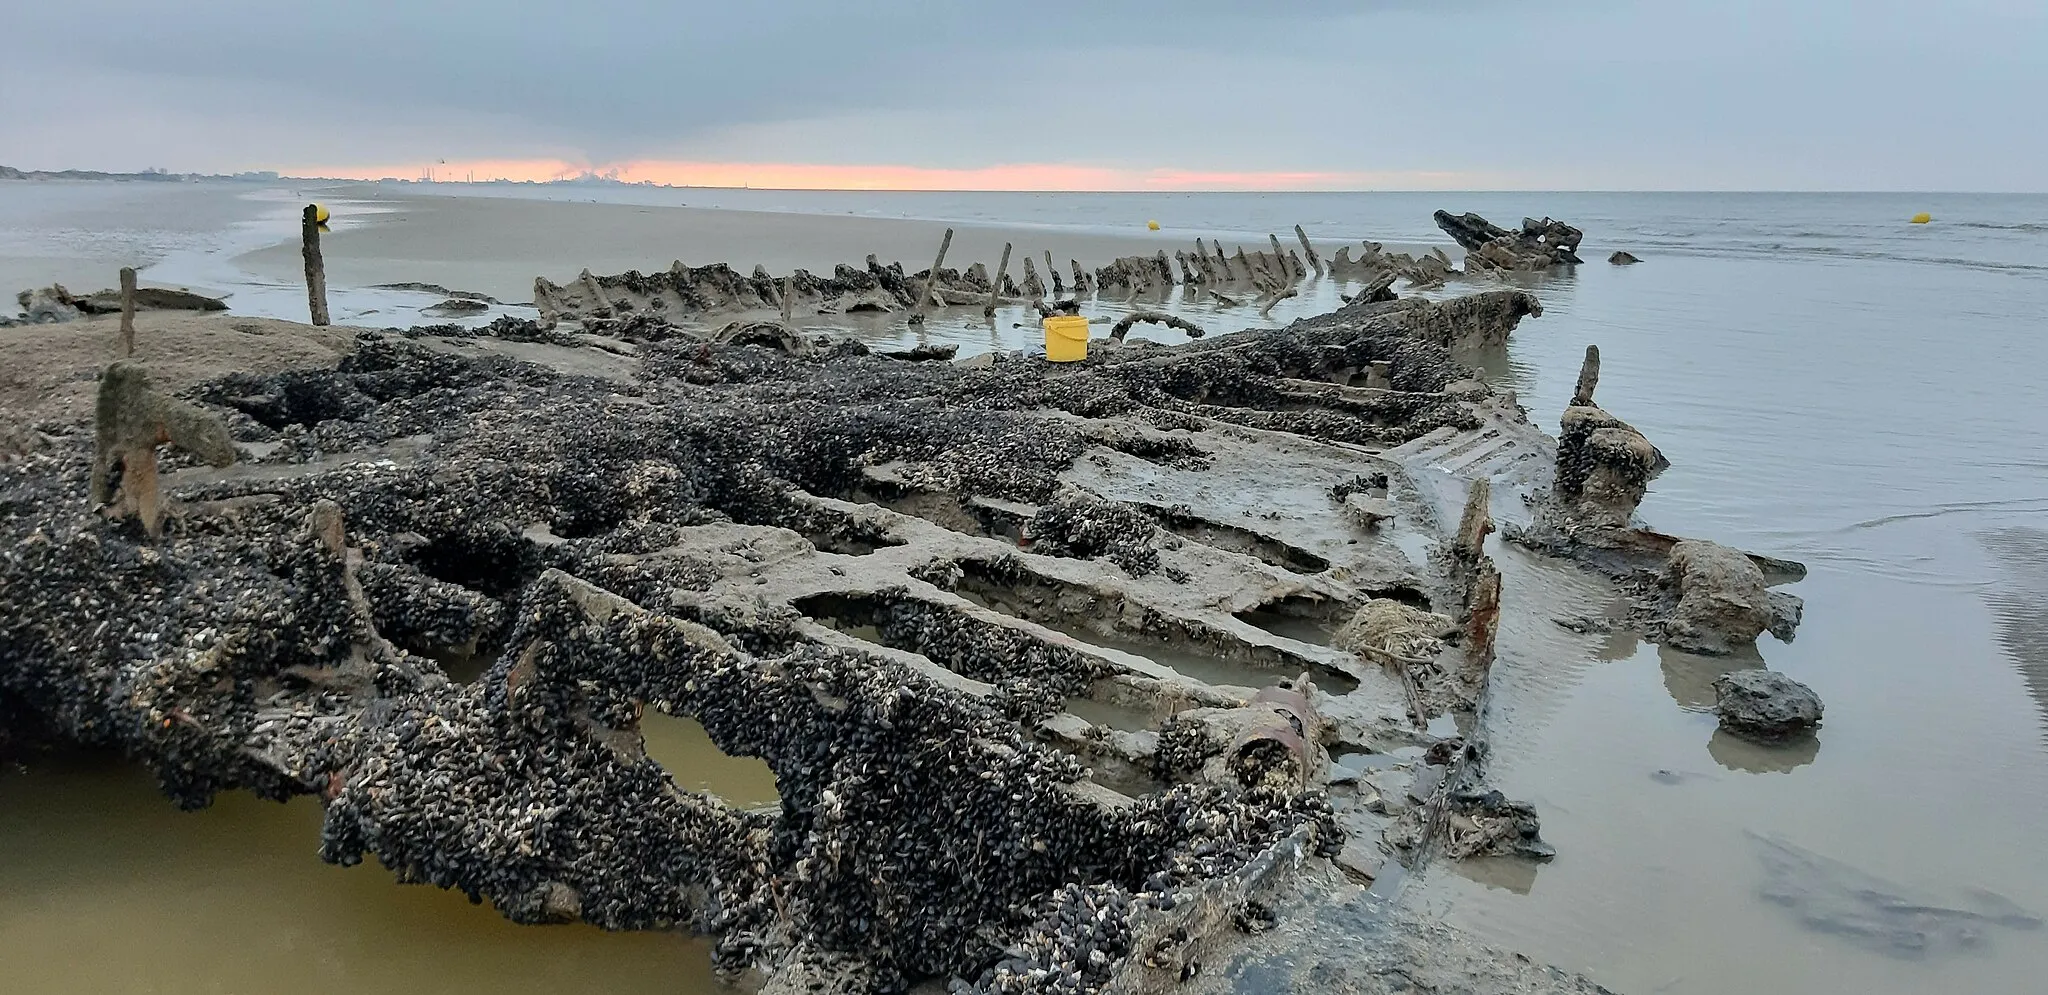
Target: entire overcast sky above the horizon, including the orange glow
[{"x": 1097, "y": 95}]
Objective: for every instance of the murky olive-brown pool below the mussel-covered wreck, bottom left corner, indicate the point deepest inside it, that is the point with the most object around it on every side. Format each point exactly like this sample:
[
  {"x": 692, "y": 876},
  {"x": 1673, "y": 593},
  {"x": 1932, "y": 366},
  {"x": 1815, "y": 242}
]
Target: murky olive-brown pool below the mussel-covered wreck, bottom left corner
[{"x": 110, "y": 890}]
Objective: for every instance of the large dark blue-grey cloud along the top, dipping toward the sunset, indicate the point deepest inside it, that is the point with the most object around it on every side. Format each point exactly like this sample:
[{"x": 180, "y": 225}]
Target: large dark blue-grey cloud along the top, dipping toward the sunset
[{"x": 626, "y": 77}]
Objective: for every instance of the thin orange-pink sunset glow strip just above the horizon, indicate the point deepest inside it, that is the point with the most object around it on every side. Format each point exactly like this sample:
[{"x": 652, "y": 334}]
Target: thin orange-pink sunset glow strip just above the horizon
[{"x": 892, "y": 177}]
